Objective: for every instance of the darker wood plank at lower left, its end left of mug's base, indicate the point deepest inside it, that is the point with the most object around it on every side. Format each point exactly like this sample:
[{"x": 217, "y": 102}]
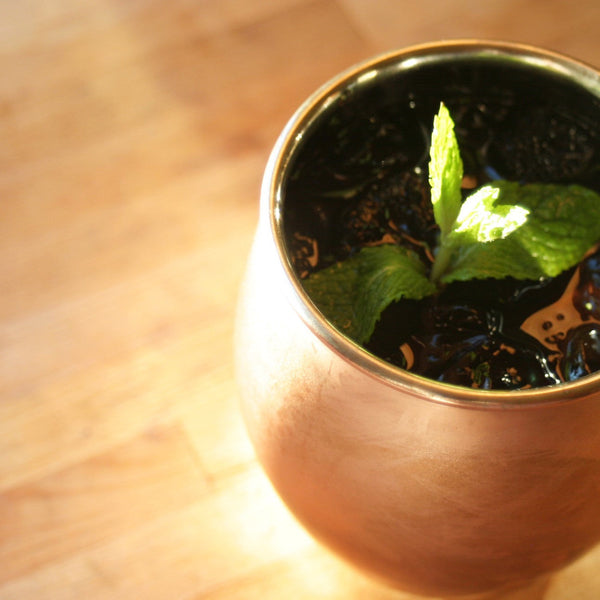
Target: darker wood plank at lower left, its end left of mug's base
[{"x": 89, "y": 503}]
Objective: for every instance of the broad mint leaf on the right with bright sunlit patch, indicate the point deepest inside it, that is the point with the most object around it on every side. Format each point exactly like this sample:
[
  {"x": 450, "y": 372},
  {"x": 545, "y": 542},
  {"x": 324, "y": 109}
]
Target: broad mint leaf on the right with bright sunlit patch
[{"x": 523, "y": 231}]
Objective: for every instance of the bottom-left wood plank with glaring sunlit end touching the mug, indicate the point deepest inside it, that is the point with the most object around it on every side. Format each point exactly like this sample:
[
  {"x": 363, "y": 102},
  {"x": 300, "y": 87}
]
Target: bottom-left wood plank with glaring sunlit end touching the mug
[{"x": 225, "y": 535}]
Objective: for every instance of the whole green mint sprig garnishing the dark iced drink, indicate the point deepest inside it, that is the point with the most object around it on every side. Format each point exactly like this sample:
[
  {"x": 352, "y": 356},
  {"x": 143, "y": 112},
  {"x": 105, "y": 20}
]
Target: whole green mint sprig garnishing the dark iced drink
[{"x": 504, "y": 229}]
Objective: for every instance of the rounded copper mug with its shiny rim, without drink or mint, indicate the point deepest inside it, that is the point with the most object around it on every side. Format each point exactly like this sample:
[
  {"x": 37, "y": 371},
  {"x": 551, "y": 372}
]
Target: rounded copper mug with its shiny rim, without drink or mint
[{"x": 435, "y": 489}]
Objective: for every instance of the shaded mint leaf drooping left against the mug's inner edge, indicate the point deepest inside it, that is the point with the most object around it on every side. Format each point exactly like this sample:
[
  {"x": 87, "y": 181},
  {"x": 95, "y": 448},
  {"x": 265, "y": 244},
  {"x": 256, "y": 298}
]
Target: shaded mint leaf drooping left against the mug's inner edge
[{"x": 353, "y": 293}]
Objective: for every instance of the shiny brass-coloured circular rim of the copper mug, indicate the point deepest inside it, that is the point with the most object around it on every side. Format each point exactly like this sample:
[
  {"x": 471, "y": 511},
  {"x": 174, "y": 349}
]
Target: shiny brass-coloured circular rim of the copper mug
[{"x": 272, "y": 199}]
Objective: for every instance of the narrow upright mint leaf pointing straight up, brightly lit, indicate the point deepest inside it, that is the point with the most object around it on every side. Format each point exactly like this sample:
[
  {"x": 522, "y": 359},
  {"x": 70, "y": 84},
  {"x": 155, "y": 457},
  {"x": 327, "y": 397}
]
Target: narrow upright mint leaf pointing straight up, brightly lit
[{"x": 445, "y": 172}]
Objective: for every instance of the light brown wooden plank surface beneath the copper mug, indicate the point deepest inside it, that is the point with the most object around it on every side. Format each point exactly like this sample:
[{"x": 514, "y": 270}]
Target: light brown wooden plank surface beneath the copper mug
[{"x": 134, "y": 135}]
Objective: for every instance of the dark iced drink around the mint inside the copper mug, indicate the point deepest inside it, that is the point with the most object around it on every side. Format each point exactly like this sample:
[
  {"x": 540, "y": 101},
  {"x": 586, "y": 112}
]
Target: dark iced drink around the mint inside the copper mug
[{"x": 362, "y": 180}]
